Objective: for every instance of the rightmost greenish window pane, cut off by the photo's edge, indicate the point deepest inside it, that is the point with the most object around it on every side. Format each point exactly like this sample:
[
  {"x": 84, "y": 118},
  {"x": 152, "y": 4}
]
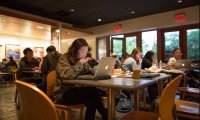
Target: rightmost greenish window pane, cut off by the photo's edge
[{"x": 193, "y": 44}]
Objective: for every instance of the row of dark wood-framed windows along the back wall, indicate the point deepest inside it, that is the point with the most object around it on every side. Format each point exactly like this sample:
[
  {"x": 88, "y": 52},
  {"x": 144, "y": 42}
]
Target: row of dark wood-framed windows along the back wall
[{"x": 162, "y": 41}]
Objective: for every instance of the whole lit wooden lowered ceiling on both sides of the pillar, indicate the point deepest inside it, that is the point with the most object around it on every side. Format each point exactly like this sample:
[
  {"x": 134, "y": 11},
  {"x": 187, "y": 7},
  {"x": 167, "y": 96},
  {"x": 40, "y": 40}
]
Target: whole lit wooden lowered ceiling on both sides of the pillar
[{"x": 34, "y": 30}]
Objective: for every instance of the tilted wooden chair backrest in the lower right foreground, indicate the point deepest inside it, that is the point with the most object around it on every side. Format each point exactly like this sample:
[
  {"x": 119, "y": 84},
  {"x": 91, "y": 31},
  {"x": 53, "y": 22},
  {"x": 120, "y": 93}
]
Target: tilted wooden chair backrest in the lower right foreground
[{"x": 167, "y": 99}]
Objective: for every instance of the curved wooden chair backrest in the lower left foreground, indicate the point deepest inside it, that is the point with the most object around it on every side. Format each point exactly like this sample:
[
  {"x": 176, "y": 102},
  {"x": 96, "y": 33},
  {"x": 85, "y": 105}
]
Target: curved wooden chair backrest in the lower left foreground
[{"x": 34, "y": 104}]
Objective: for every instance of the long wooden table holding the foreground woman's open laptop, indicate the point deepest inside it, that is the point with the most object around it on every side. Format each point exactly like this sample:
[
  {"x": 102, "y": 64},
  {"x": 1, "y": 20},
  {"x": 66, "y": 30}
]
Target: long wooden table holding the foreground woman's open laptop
[{"x": 123, "y": 84}]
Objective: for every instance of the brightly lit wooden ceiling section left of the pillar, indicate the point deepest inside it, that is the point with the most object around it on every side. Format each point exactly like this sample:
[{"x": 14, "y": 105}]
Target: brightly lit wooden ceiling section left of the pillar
[{"x": 24, "y": 28}]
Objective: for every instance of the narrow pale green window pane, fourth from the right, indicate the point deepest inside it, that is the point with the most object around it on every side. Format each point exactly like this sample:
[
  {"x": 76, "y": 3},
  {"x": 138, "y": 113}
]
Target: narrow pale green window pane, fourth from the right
[{"x": 130, "y": 44}]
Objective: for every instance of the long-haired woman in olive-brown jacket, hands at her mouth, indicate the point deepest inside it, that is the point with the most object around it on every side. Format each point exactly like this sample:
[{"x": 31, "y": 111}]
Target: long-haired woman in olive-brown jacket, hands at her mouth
[{"x": 70, "y": 65}]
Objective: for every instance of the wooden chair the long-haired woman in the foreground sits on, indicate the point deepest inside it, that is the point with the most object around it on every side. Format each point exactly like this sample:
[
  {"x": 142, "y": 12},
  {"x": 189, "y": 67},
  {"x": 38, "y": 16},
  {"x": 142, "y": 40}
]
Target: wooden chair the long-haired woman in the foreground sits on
[{"x": 51, "y": 80}]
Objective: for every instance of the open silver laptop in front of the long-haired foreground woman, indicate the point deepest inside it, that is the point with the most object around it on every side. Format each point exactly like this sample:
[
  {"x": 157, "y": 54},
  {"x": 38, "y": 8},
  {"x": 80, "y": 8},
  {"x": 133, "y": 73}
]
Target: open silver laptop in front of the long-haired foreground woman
[{"x": 104, "y": 70}]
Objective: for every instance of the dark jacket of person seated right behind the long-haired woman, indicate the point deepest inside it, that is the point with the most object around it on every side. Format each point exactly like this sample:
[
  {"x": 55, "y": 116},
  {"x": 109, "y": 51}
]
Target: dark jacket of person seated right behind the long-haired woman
[{"x": 49, "y": 63}]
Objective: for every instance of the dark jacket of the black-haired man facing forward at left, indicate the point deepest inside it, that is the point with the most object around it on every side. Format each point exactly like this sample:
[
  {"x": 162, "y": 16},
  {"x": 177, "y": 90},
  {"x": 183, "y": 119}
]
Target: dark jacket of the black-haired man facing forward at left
[{"x": 25, "y": 65}]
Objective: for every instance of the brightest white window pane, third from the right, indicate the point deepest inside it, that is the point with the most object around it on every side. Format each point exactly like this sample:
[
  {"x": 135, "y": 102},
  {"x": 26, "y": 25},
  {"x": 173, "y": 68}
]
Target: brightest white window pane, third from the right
[{"x": 149, "y": 42}]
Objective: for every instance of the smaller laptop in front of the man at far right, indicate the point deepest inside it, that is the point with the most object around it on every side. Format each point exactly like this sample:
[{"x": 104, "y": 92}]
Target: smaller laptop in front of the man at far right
[{"x": 183, "y": 64}]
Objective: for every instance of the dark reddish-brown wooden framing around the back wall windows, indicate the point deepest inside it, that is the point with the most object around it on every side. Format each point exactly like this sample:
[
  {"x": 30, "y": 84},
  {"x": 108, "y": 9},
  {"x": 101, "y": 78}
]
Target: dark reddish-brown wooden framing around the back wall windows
[{"x": 160, "y": 39}]
